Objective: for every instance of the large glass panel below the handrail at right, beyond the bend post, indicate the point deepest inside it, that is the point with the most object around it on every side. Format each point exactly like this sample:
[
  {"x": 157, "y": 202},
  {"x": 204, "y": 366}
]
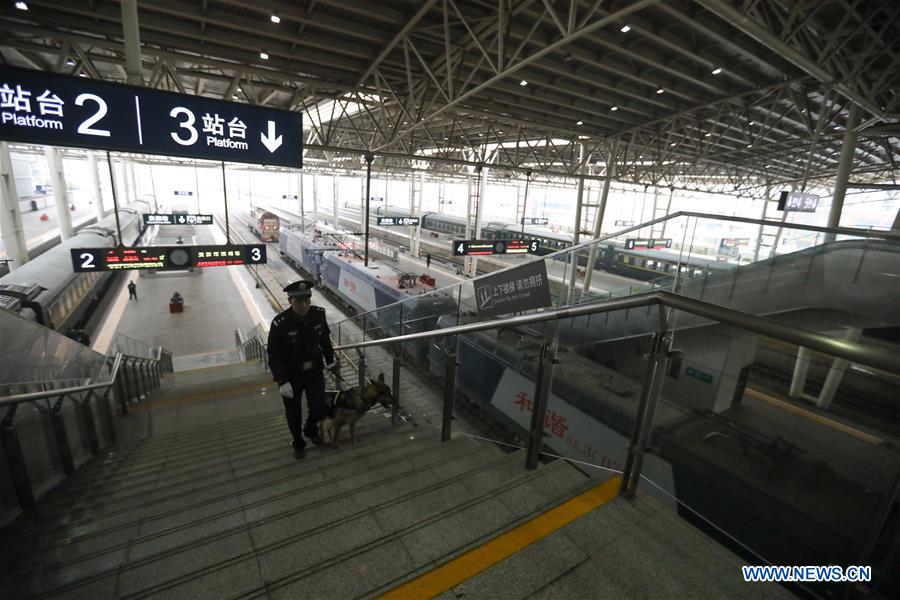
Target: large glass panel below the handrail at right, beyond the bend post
[{"x": 777, "y": 479}]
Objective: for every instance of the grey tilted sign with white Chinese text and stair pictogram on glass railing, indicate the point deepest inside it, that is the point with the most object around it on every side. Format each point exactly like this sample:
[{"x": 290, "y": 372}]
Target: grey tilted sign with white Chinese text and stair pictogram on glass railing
[{"x": 513, "y": 290}]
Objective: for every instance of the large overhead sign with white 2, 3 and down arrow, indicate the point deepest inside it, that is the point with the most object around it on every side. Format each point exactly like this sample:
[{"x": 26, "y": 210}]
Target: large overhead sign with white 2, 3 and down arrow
[{"x": 58, "y": 110}]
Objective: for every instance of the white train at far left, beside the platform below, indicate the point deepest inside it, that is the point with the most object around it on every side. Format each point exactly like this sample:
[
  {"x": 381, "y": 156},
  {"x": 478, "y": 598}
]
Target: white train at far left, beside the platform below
[{"x": 47, "y": 291}]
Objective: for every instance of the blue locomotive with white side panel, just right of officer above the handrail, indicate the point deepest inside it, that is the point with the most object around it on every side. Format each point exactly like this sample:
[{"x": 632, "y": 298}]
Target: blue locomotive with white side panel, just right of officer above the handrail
[{"x": 394, "y": 302}]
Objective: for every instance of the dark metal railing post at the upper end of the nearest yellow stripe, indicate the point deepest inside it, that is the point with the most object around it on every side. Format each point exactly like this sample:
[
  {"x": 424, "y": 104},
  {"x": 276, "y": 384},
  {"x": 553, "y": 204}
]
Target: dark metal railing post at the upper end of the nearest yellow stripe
[{"x": 643, "y": 420}]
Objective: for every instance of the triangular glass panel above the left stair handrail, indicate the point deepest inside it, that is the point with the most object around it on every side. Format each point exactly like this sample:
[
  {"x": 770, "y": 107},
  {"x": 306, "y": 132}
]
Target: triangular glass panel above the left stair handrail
[{"x": 31, "y": 352}]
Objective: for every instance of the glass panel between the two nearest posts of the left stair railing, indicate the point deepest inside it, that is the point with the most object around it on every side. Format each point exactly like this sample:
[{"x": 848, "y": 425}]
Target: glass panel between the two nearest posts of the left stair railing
[{"x": 38, "y": 444}]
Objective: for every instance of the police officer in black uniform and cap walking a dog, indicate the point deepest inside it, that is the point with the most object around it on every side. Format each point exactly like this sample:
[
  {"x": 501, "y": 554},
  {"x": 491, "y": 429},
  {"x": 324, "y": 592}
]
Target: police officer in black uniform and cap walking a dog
[{"x": 299, "y": 346}]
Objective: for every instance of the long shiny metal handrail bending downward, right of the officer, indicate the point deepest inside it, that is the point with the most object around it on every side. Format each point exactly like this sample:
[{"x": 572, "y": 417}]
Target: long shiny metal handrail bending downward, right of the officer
[{"x": 852, "y": 351}]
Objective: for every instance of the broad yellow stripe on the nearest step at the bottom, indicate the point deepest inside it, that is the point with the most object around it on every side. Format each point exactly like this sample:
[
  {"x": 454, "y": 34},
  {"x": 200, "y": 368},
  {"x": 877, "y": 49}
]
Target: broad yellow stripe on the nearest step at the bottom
[{"x": 500, "y": 548}]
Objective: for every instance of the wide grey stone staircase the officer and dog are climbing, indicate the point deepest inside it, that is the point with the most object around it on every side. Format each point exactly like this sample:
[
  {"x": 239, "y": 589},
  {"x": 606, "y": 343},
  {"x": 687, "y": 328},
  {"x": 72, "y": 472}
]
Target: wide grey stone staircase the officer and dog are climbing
[{"x": 203, "y": 499}]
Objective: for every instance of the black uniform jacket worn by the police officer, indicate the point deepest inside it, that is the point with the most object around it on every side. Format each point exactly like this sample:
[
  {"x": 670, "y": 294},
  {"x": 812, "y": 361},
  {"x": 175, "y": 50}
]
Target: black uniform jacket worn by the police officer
[{"x": 295, "y": 342}]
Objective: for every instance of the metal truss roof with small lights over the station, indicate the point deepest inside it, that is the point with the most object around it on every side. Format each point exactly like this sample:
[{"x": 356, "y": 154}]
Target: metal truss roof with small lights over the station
[{"x": 704, "y": 94}]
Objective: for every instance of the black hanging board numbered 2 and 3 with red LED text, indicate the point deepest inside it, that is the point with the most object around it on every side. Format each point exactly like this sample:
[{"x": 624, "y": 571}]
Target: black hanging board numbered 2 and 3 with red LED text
[{"x": 166, "y": 258}]
